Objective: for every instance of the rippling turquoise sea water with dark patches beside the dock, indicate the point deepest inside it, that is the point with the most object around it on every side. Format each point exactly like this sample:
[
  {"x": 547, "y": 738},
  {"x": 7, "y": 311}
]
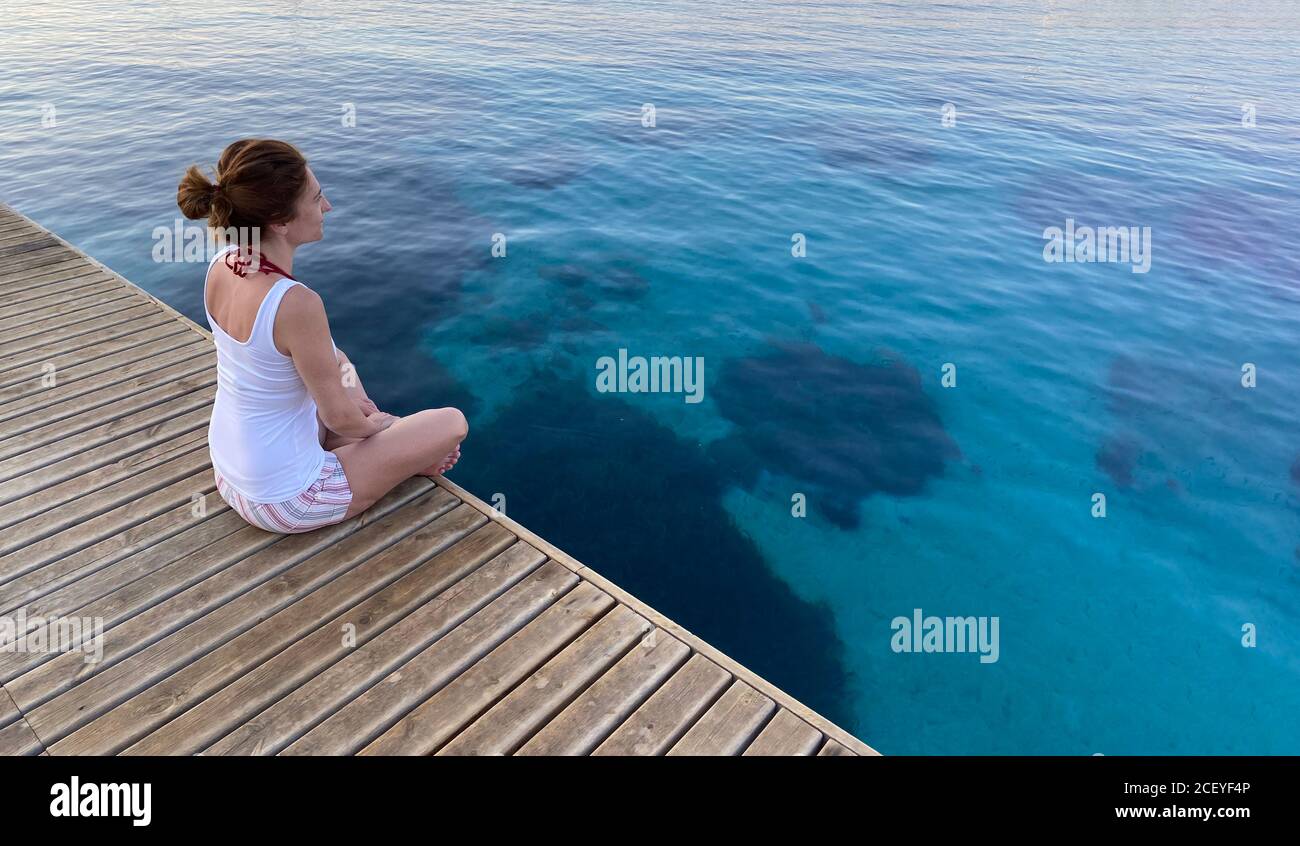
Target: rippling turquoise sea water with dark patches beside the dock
[{"x": 822, "y": 374}]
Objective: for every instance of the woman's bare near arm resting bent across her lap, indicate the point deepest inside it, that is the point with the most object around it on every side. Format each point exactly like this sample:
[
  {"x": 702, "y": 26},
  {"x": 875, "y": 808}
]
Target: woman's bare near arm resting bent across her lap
[{"x": 305, "y": 331}]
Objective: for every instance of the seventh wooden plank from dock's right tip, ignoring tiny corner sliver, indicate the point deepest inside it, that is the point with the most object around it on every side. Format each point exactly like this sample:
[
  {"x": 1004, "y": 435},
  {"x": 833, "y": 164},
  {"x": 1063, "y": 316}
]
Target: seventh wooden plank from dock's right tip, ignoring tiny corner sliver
[{"x": 380, "y": 706}]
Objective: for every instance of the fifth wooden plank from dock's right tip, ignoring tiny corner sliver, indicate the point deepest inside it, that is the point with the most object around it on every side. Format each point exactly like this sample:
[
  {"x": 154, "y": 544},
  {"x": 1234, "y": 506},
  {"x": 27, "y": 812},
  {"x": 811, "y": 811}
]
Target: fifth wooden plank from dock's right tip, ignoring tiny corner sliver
[{"x": 523, "y": 711}]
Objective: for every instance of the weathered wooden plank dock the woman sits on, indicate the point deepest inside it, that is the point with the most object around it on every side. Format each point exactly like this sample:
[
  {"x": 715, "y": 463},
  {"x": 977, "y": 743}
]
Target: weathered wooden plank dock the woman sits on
[{"x": 431, "y": 624}]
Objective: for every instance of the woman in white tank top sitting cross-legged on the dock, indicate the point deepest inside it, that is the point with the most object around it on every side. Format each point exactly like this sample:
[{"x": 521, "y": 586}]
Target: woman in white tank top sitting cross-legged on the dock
[{"x": 296, "y": 442}]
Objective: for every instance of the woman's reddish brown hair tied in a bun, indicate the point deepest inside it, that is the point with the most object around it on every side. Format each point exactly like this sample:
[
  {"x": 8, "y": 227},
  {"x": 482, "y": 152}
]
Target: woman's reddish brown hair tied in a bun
[{"x": 259, "y": 183}]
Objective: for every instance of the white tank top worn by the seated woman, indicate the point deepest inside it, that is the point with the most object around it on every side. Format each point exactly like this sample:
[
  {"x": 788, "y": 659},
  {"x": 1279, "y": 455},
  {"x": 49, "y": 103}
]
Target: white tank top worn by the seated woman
[{"x": 263, "y": 436}]
